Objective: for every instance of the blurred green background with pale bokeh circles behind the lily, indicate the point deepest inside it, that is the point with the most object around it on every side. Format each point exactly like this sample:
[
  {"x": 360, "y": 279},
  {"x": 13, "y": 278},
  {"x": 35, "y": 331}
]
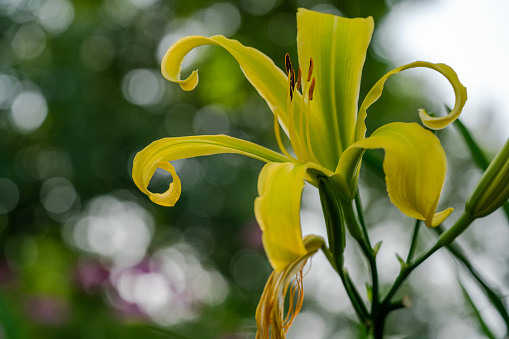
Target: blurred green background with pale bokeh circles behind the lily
[{"x": 84, "y": 254}]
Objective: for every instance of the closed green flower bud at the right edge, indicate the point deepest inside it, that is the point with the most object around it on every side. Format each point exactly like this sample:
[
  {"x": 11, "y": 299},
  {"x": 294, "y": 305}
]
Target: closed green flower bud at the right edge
[{"x": 492, "y": 191}]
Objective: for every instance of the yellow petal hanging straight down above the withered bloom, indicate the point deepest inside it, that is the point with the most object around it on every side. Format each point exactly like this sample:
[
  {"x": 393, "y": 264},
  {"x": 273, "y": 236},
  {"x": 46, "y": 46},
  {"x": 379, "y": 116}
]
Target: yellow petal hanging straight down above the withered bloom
[{"x": 277, "y": 211}]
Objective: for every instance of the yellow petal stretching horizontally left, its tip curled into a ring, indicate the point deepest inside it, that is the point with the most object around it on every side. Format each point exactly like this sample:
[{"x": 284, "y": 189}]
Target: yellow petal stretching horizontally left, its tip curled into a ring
[{"x": 157, "y": 154}]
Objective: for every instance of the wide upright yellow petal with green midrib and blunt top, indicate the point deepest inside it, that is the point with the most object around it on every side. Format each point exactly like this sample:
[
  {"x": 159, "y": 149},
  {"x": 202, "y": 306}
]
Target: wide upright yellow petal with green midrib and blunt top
[{"x": 338, "y": 47}]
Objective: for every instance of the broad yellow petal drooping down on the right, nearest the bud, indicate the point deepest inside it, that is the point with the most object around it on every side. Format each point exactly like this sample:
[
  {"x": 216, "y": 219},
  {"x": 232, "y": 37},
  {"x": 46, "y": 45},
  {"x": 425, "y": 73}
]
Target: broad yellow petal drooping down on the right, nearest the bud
[{"x": 414, "y": 166}]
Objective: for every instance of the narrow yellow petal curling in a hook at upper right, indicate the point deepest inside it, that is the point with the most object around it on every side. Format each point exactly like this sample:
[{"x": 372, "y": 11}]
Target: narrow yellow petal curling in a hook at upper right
[{"x": 431, "y": 122}]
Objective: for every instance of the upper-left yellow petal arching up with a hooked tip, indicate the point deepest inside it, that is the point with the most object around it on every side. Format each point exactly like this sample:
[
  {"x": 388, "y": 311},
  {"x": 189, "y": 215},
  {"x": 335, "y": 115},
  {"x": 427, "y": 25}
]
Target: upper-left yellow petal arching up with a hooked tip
[{"x": 259, "y": 69}]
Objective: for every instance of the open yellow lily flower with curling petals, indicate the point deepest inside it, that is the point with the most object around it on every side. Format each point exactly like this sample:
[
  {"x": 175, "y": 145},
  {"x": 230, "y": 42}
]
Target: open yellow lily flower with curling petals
[{"x": 317, "y": 108}]
